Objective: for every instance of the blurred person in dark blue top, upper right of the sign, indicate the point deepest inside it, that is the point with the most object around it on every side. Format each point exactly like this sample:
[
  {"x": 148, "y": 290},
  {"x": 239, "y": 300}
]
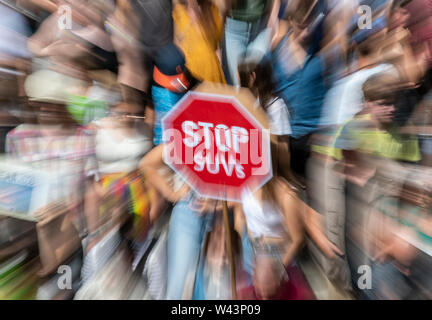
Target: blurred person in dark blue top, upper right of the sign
[{"x": 299, "y": 76}]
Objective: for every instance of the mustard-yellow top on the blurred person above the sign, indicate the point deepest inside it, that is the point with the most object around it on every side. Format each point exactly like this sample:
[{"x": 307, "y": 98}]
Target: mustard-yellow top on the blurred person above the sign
[{"x": 199, "y": 44}]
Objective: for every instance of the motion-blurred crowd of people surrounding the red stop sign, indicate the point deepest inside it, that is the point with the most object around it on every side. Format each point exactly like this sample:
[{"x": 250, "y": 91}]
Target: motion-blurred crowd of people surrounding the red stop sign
[{"x": 346, "y": 86}]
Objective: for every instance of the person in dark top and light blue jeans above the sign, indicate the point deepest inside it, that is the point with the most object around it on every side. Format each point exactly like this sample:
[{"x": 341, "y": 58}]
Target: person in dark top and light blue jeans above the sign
[{"x": 250, "y": 26}]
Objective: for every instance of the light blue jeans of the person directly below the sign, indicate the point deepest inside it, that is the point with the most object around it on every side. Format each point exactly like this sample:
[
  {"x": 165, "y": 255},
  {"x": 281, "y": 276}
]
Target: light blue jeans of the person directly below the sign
[{"x": 186, "y": 235}]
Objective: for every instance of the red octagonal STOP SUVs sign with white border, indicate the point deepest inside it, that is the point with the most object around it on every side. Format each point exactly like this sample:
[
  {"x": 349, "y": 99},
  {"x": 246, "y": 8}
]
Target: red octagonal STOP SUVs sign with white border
[{"x": 217, "y": 144}]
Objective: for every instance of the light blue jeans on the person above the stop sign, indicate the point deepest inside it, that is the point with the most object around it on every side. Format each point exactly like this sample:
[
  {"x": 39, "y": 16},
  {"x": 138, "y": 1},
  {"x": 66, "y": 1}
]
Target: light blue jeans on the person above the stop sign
[{"x": 243, "y": 39}]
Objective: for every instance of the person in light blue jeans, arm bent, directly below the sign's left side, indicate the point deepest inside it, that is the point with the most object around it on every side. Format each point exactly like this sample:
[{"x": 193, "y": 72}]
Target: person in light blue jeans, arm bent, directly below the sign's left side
[{"x": 191, "y": 219}]
